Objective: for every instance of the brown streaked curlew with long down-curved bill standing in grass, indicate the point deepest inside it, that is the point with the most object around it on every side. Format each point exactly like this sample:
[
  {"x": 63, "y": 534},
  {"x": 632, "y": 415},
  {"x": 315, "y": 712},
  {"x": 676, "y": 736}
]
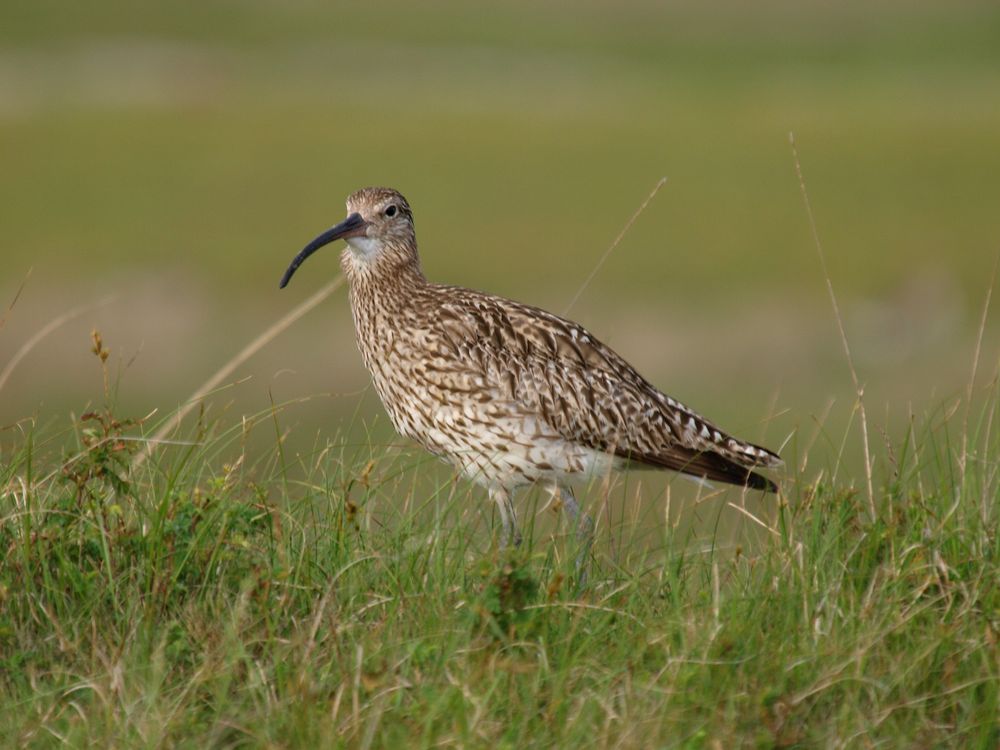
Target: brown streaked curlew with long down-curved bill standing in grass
[{"x": 508, "y": 393}]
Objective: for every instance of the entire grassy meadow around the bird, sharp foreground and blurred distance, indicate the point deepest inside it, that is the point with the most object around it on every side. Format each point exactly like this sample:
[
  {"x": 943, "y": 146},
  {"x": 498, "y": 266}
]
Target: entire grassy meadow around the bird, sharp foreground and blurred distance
[{"x": 283, "y": 570}]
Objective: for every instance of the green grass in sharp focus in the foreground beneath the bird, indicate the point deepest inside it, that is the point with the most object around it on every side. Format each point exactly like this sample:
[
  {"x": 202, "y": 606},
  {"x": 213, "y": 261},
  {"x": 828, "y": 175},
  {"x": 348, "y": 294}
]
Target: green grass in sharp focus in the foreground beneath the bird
[{"x": 332, "y": 598}]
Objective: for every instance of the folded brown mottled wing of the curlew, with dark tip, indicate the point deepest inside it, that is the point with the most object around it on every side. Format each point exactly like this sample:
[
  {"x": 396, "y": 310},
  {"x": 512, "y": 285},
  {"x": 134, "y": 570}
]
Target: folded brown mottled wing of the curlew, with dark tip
[{"x": 589, "y": 394}]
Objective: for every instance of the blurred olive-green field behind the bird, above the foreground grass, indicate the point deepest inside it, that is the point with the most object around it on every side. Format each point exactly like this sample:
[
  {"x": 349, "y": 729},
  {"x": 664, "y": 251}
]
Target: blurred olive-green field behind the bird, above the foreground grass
[{"x": 175, "y": 156}]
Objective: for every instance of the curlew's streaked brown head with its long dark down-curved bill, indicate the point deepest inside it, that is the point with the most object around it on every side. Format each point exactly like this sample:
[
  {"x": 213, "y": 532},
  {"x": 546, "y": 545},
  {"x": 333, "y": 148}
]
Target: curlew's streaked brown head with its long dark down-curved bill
[{"x": 378, "y": 231}]
